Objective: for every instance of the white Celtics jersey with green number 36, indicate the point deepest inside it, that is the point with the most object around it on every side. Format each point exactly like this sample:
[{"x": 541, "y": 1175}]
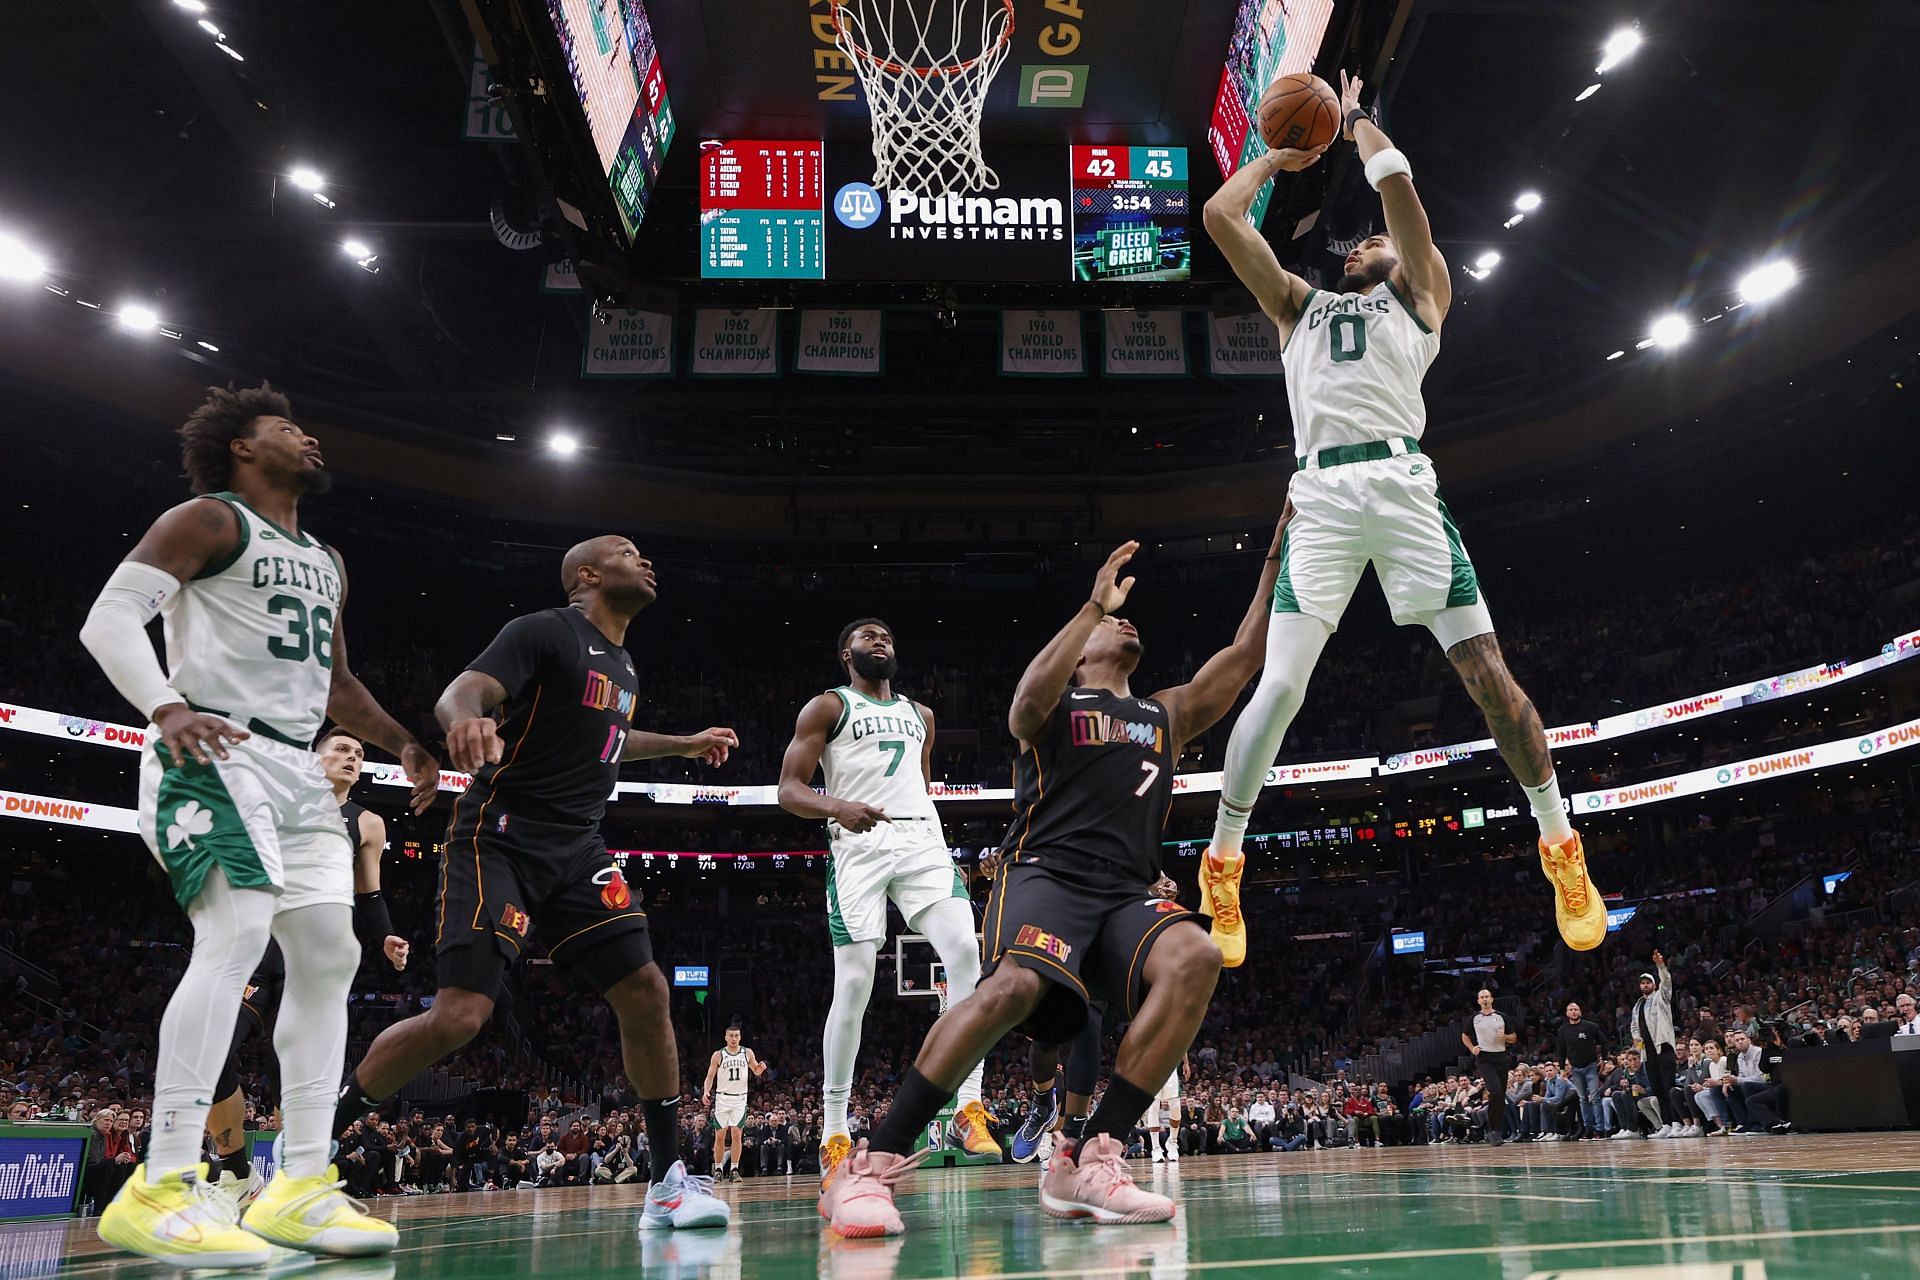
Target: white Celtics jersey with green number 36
[{"x": 252, "y": 636}]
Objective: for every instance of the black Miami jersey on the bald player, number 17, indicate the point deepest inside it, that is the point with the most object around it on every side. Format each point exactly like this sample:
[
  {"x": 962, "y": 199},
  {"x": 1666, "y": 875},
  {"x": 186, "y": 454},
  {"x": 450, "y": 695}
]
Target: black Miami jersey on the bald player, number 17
[{"x": 571, "y": 698}]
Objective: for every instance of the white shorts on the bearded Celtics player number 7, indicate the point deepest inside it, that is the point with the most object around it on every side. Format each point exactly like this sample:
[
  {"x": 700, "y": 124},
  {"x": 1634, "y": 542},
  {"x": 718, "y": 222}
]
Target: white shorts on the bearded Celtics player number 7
[{"x": 903, "y": 861}]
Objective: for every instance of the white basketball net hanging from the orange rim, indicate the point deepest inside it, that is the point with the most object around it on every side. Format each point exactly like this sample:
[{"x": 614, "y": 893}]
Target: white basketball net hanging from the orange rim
[{"x": 926, "y": 68}]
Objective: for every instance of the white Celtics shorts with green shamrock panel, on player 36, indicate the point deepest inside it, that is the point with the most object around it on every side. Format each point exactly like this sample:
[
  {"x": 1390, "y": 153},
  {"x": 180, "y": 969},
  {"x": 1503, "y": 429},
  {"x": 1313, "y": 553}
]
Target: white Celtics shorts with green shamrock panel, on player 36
[{"x": 266, "y": 817}]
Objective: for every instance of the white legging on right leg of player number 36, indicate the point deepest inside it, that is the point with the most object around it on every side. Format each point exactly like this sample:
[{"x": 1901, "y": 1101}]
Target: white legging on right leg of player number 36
[{"x": 310, "y": 1037}]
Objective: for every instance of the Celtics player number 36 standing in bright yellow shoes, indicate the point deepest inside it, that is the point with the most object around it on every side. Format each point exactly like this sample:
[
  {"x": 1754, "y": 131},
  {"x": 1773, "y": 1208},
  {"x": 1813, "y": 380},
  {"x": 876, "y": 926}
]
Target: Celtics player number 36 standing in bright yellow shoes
[{"x": 237, "y": 809}]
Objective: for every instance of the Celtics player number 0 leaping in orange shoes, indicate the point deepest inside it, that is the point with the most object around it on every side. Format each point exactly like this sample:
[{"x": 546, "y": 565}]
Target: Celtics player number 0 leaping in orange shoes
[{"x": 1364, "y": 492}]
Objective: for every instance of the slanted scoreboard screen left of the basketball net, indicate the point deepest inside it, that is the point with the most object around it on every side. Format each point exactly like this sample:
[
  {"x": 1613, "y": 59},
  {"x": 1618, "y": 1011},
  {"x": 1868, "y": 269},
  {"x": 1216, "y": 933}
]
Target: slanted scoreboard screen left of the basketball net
[{"x": 619, "y": 83}]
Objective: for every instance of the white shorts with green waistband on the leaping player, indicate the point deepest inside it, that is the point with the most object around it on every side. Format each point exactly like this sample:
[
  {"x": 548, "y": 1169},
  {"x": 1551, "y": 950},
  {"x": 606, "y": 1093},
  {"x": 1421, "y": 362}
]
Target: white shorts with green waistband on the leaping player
[{"x": 1389, "y": 513}]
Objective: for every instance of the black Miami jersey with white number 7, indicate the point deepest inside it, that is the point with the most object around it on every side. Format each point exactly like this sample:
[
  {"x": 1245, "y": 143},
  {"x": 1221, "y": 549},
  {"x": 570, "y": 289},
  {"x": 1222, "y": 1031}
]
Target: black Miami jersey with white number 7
[{"x": 1093, "y": 794}]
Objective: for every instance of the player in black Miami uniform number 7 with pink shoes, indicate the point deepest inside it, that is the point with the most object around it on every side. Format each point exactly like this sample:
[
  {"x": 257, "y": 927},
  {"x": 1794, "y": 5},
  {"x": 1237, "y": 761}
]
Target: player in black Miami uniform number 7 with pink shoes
[{"x": 1072, "y": 916}]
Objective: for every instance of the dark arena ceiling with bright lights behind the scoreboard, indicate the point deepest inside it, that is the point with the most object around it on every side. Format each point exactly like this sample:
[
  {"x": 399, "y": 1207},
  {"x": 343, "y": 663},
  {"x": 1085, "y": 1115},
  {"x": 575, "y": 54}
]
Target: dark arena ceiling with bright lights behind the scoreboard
[{"x": 156, "y": 168}]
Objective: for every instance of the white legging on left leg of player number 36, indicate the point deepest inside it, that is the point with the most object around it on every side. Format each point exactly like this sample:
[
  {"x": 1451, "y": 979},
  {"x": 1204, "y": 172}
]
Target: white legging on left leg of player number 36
[{"x": 231, "y": 930}]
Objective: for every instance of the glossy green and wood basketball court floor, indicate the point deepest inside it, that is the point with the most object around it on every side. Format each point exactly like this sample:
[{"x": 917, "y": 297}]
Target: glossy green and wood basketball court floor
[{"x": 1812, "y": 1208}]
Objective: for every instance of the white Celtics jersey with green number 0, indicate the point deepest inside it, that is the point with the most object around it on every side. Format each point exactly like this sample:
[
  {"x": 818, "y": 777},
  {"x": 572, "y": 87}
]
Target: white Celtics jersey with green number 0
[{"x": 1355, "y": 367}]
